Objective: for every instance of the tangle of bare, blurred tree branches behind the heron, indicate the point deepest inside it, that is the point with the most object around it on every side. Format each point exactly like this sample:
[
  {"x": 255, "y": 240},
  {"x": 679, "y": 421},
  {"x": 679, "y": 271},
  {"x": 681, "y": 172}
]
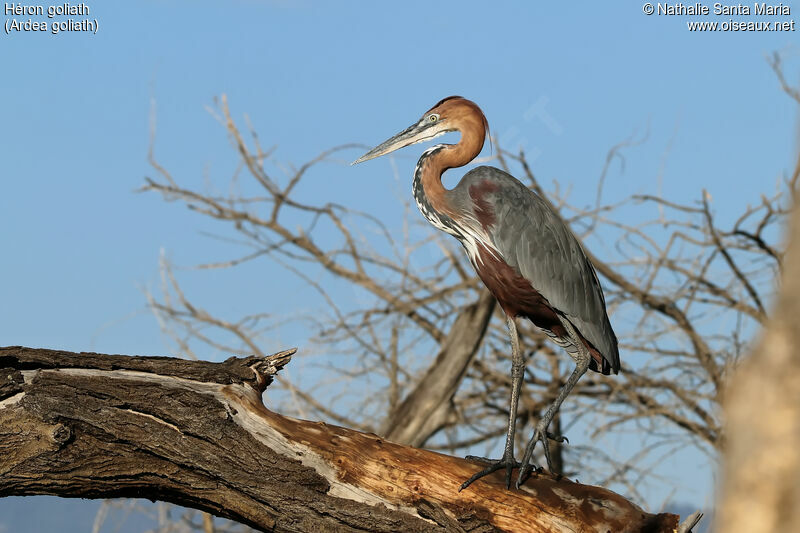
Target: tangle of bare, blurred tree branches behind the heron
[{"x": 418, "y": 357}]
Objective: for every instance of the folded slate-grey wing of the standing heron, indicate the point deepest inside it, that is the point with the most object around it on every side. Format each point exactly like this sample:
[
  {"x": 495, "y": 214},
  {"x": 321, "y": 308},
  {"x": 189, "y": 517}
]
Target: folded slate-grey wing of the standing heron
[{"x": 534, "y": 240}]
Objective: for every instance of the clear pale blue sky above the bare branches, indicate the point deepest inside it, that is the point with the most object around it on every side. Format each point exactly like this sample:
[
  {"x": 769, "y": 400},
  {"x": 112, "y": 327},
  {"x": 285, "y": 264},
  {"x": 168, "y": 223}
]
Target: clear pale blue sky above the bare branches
[{"x": 566, "y": 81}]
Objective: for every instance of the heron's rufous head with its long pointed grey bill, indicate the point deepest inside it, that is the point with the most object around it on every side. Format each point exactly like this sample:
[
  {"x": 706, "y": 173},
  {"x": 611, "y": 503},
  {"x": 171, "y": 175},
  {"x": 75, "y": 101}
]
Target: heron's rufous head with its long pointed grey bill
[{"x": 454, "y": 113}]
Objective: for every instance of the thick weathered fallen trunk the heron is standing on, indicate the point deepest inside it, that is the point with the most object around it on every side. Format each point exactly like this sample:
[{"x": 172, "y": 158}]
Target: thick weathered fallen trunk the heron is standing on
[{"x": 197, "y": 434}]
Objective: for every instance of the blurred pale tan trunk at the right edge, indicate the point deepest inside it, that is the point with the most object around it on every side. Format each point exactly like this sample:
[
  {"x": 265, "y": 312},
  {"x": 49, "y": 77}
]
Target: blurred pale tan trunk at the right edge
[{"x": 761, "y": 469}]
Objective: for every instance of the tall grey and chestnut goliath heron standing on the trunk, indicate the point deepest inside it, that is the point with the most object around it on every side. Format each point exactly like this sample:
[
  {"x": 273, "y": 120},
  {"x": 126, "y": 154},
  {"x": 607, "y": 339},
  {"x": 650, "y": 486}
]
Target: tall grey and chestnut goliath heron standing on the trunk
[{"x": 522, "y": 251}]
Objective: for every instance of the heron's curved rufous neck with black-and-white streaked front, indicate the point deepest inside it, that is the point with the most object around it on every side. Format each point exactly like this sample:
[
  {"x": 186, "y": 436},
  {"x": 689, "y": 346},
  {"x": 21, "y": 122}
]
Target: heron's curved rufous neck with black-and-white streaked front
[{"x": 429, "y": 192}]
